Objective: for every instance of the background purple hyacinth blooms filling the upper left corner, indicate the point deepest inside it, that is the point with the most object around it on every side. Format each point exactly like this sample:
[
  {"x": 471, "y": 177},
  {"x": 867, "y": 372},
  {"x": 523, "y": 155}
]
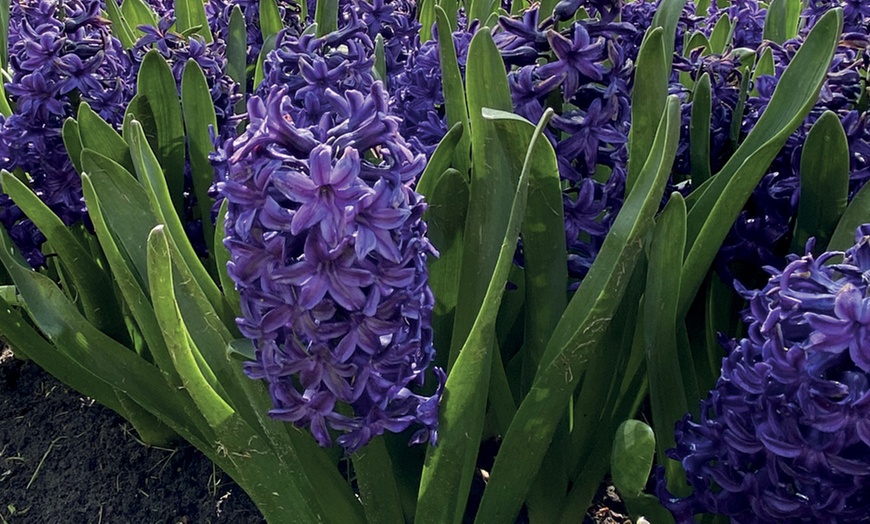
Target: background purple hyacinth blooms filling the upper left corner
[{"x": 63, "y": 54}]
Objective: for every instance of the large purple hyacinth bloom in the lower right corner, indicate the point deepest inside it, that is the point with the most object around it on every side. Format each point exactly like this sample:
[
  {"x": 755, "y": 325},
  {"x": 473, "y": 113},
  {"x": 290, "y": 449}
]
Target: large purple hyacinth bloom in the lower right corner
[{"x": 785, "y": 434}]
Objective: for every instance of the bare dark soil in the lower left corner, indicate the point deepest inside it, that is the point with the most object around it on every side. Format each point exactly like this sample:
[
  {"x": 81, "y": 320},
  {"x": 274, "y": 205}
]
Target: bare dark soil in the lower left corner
[{"x": 65, "y": 459}]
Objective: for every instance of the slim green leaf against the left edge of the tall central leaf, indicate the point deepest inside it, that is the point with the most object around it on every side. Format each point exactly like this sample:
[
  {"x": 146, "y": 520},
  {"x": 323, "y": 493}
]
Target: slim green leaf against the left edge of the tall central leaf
[{"x": 454, "y": 94}]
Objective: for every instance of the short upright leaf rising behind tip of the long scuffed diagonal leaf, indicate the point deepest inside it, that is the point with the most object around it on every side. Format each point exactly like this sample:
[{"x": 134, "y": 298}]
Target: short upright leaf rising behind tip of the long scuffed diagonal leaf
[{"x": 648, "y": 102}]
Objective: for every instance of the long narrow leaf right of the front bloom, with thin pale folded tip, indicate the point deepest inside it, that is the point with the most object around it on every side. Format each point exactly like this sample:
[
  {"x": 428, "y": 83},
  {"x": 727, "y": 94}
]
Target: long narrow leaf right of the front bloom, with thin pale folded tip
[{"x": 449, "y": 466}]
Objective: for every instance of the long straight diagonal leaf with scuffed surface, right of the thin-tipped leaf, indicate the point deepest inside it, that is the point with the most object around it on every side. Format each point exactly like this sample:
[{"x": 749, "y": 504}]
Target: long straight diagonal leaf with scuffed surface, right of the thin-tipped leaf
[{"x": 585, "y": 320}]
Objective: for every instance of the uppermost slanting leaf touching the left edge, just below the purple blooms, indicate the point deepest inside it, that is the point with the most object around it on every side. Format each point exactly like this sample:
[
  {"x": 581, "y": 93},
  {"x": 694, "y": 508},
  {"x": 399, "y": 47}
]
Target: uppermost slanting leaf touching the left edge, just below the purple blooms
[{"x": 92, "y": 284}]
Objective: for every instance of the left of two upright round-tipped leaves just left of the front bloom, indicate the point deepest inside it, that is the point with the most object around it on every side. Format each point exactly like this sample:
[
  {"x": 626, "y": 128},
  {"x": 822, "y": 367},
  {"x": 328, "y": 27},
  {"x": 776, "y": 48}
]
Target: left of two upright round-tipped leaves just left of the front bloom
[{"x": 157, "y": 84}]
